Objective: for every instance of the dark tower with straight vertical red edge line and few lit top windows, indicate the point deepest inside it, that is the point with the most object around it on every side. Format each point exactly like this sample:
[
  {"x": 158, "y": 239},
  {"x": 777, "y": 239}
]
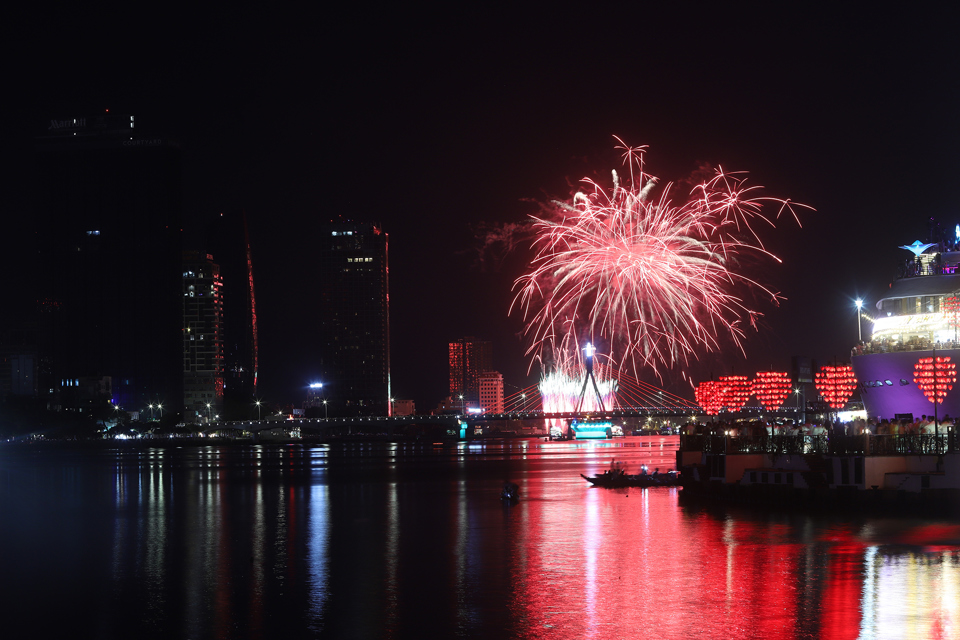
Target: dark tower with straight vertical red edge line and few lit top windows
[{"x": 354, "y": 357}]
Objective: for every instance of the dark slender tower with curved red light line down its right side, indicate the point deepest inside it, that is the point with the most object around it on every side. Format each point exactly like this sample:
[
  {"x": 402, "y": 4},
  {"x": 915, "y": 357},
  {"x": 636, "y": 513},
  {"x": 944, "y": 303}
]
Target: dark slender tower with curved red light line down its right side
[{"x": 228, "y": 241}]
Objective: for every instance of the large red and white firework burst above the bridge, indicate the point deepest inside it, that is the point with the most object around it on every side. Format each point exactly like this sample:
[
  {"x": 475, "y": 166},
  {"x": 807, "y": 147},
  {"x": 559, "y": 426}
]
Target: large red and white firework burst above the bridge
[{"x": 655, "y": 281}]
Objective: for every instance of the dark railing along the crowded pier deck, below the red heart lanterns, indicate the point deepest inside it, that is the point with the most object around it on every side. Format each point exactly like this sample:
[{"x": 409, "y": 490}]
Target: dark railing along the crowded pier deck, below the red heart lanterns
[{"x": 884, "y": 445}]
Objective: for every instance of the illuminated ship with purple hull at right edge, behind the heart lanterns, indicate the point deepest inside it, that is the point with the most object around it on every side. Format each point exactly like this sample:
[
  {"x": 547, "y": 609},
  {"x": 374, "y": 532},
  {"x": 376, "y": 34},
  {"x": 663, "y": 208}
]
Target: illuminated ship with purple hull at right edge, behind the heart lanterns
[{"x": 916, "y": 319}]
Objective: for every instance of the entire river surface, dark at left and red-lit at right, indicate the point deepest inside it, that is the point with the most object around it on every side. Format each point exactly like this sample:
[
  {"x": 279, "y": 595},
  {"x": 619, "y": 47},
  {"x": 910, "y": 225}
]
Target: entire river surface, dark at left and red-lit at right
[{"x": 401, "y": 541}]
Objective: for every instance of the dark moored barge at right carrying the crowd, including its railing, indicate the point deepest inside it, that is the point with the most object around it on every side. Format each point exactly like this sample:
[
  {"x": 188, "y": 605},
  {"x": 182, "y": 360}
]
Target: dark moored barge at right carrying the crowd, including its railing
[{"x": 896, "y": 474}]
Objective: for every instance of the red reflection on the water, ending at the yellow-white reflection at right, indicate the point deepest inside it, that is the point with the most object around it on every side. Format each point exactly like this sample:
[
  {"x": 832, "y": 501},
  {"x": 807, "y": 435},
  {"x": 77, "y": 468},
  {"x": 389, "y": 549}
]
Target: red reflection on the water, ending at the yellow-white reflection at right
[{"x": 629, "y": 563}]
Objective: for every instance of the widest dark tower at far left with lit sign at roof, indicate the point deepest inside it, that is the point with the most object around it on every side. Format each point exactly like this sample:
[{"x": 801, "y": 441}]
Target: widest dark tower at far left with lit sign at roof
[{"x": 108, "y": 213}]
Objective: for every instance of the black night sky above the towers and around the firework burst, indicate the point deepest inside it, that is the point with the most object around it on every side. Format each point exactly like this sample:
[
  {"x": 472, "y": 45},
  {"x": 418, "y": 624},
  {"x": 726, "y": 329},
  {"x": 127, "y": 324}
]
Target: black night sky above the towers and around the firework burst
[{"x": 437, "y": 120}]
